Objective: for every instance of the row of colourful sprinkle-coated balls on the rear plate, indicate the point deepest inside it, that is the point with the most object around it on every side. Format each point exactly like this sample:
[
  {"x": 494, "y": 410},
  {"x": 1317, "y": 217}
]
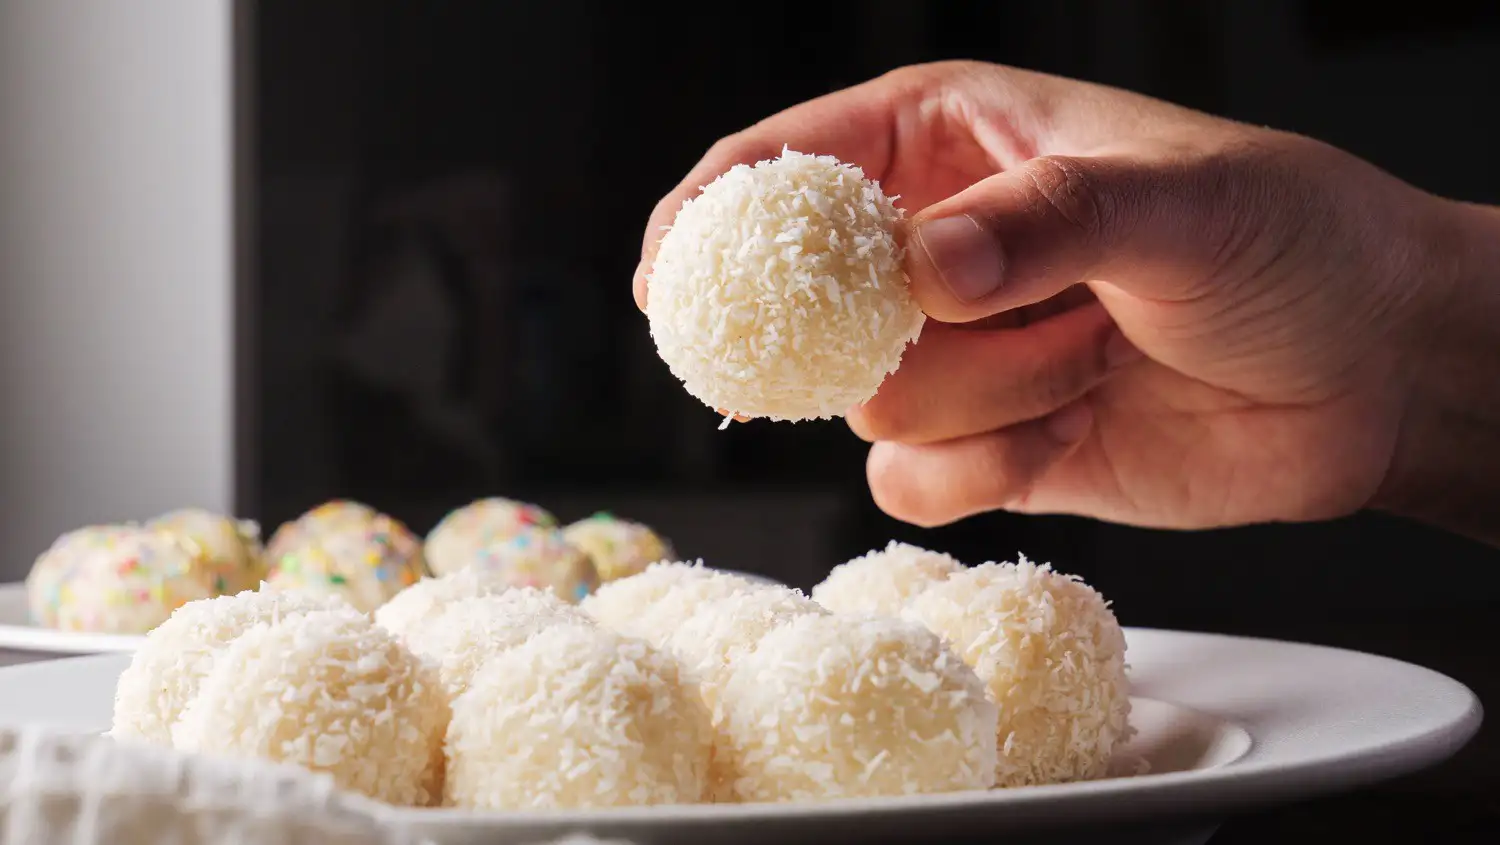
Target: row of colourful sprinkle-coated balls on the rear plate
[{"x": 128, "y": 579}]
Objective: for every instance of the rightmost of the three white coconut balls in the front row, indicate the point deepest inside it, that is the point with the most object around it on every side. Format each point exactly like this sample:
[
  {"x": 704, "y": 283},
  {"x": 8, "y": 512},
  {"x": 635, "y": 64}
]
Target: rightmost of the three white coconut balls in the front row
[{"x": 842, "y": 706}]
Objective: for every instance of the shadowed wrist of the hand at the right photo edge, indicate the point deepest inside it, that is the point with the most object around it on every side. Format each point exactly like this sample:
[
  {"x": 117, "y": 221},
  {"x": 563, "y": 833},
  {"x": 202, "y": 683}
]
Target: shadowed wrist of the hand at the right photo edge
[{"x": 1447, "y": 463}]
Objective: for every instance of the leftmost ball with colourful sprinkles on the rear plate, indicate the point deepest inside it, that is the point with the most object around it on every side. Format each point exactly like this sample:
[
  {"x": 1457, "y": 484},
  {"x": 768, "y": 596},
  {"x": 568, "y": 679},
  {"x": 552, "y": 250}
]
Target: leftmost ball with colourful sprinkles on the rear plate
[{"x": 116, "y": 580}]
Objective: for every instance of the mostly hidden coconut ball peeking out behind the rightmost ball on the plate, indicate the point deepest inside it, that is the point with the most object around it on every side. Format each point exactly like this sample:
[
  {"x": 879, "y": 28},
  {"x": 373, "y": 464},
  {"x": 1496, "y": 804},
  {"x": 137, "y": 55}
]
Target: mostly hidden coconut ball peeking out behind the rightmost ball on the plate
[{"x": 884, "y": 582}]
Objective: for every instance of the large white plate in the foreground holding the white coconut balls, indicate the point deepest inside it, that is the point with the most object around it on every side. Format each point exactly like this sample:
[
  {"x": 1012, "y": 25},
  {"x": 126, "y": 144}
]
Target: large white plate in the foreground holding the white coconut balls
[{"x": 1225, "y": 723}]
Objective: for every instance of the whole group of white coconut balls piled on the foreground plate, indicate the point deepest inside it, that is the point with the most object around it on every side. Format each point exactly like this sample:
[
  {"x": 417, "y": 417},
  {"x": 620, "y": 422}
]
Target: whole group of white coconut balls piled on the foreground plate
[{"x": 677, "y": 685}]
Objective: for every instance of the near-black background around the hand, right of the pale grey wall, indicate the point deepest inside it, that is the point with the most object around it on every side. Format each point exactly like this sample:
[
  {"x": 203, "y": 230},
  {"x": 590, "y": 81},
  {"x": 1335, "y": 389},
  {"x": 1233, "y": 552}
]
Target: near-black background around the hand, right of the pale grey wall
[{"x": 449, "y": 205}]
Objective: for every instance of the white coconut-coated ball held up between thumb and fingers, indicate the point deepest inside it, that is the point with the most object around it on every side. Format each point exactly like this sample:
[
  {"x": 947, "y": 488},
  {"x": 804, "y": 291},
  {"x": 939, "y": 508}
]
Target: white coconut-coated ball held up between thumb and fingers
[{"x": 779, "y": 290}]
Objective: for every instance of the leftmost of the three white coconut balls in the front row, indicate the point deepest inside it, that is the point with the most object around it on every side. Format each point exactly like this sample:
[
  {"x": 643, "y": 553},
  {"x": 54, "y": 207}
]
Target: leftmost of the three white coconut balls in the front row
[{"x": 332, "y": 693}]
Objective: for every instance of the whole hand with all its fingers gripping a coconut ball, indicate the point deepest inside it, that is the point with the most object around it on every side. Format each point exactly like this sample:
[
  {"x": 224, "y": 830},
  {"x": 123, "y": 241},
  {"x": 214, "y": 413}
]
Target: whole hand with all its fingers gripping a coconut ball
[{"x": 1141, "y": 313}]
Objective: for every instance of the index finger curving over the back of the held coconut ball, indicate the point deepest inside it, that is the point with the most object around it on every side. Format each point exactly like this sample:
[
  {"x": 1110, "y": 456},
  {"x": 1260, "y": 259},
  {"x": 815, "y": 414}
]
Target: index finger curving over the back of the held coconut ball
[{"x": 854, "y": 125}]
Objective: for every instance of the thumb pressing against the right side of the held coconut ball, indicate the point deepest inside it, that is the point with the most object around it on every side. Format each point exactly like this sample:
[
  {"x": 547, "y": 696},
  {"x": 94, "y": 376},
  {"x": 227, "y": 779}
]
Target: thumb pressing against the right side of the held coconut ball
[{"x": 1030, "y": 233}]
